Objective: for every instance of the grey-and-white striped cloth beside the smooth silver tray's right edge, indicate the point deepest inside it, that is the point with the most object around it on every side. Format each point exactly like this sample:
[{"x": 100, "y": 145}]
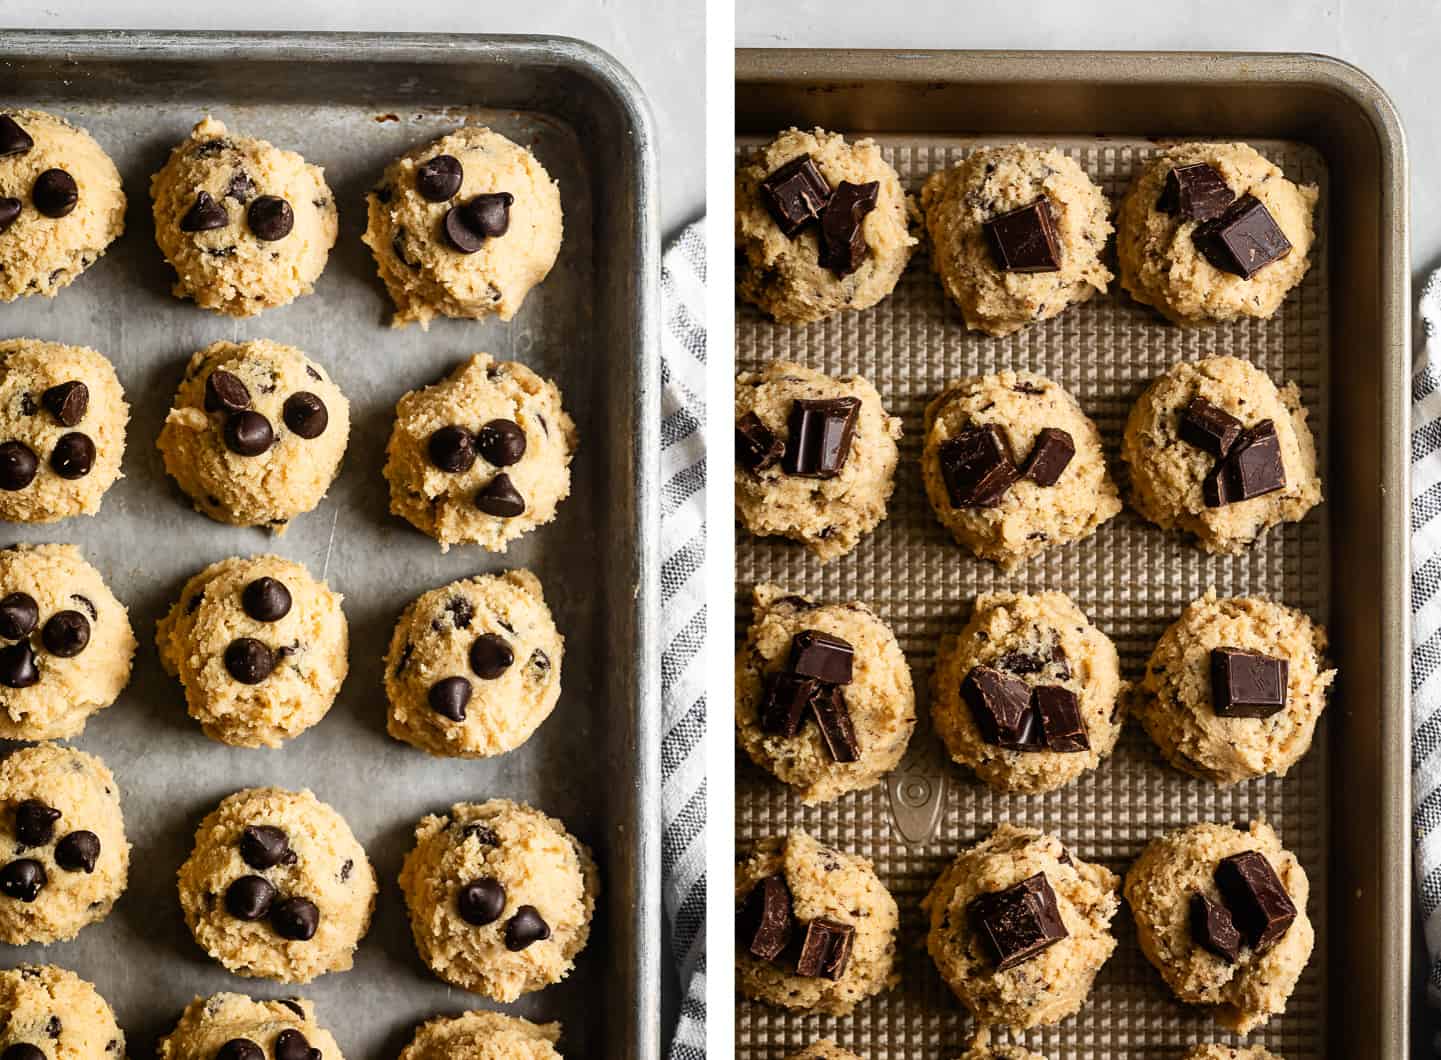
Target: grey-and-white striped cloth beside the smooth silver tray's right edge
[{"x": 684, "y": 626}]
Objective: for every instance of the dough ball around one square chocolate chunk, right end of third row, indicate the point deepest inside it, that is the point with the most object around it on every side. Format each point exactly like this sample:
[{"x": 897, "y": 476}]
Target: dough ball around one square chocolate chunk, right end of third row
[{"x": 1175, "y": 699}]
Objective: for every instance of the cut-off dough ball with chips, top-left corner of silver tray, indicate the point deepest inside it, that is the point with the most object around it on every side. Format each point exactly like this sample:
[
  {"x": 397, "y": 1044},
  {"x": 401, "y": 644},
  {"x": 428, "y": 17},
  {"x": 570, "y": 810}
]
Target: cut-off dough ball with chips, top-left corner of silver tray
[{"x": 61, "y": 204}]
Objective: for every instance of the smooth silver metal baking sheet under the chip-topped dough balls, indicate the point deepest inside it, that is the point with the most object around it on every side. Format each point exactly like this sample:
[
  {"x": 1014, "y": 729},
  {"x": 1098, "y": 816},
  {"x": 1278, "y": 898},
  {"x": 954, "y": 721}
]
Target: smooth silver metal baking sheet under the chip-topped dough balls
[{"x": 351, "y": 104}]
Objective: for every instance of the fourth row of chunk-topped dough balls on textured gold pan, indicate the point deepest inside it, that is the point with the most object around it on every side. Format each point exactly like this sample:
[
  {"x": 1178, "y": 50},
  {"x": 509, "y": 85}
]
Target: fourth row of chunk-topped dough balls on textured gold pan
[{"x": 1044, "y": 987}]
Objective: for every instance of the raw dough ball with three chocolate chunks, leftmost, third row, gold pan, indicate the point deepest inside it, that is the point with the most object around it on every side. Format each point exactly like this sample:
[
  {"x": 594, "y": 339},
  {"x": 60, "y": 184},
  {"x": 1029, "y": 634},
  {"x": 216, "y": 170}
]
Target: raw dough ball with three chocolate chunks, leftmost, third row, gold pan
[{"x": 775, "y": 719}]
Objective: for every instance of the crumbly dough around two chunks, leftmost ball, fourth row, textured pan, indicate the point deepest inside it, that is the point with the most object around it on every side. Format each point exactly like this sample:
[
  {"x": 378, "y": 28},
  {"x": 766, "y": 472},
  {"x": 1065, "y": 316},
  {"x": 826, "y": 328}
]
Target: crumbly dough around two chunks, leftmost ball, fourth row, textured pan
[{"x": 824, "y": 884}]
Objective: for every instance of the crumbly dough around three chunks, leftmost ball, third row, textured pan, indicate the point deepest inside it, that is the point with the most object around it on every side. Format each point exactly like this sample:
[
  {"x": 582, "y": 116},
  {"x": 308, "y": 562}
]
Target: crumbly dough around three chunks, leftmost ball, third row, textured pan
[{"x": 880, "y": 696}]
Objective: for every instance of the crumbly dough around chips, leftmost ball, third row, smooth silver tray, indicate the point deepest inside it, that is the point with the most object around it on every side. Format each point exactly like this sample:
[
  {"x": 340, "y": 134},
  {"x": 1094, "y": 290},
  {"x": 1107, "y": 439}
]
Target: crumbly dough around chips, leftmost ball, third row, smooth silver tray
[{"x": 73, "y": 689}]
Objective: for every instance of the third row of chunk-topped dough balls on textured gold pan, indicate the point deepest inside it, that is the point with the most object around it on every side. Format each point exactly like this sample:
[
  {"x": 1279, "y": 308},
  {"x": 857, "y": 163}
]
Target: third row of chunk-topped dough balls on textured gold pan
[{"x": 1040, "y": 642}]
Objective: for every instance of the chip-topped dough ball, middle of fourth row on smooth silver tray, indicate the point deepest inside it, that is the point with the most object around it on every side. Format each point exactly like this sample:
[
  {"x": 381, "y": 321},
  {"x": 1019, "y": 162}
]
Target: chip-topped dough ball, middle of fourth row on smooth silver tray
[{"x": 277, "y": 888}]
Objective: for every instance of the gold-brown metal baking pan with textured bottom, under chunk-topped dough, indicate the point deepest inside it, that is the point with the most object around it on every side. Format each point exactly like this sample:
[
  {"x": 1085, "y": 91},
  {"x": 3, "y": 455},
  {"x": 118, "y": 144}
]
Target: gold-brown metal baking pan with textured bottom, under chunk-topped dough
[{"x": 1342, "y": 810}]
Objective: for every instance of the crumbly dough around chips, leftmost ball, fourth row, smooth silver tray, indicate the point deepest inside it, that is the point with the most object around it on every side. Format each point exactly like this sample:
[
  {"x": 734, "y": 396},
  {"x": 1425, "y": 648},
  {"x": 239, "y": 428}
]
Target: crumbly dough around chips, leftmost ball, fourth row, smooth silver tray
[{"x": 86, "y": 793}]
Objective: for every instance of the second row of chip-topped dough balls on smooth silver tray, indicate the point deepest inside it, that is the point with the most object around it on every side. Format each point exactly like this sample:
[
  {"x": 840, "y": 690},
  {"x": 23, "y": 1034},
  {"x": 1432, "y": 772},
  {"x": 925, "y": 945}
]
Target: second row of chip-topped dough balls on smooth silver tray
[{"x": 259, "y": 430}]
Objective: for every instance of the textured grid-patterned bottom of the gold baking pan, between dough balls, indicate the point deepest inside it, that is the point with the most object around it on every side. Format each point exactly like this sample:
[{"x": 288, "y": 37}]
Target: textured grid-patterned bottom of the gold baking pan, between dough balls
[{"x": 1130, "y": 578}]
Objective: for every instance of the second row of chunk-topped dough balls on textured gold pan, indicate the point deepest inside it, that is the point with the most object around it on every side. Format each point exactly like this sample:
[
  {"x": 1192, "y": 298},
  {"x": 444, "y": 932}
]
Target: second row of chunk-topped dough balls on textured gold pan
[{"x": 1169, "y": 470}]
